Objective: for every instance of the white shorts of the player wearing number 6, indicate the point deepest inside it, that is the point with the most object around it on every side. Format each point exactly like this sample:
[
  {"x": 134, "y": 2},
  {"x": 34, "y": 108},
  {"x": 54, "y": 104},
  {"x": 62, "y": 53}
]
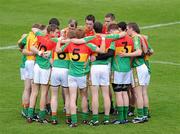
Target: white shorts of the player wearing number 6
[{"x": 59, "y": 77}]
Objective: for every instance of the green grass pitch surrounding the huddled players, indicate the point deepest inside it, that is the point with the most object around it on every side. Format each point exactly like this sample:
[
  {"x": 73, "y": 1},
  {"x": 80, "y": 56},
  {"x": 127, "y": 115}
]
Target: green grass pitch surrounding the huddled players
[{"x": 17, "y": 16}]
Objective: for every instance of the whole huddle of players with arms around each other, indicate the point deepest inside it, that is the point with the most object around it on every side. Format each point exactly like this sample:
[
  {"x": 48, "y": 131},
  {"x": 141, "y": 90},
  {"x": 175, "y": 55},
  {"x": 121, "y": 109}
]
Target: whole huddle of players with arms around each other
[{"x": 109, "y": 57}]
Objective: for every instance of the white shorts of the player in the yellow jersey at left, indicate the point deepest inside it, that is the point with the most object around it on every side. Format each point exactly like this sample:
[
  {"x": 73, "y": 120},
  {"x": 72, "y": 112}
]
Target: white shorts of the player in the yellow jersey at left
[{"x": 29, "y": 69}]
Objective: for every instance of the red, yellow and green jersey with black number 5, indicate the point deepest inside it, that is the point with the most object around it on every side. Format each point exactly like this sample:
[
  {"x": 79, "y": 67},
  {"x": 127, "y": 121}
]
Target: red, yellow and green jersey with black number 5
[{"x": 79, "y": 64}]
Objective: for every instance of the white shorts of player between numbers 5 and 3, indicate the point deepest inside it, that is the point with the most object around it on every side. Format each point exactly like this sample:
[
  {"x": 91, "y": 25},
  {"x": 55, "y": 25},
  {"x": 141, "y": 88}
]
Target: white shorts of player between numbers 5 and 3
[{"x": 100, "y": 75}]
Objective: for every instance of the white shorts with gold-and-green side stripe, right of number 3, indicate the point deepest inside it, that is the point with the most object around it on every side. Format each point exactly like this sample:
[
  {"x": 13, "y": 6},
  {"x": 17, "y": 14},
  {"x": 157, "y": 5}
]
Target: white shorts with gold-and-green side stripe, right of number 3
[{"x": 140, "y": 76}]
